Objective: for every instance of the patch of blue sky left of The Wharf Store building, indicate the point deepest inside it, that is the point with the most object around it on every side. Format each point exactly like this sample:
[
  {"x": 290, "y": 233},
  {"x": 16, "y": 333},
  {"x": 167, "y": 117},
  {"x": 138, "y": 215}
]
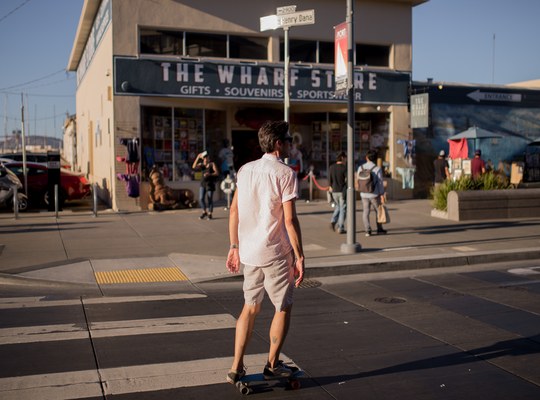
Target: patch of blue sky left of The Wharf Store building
[{"x": 36, "y": 37}]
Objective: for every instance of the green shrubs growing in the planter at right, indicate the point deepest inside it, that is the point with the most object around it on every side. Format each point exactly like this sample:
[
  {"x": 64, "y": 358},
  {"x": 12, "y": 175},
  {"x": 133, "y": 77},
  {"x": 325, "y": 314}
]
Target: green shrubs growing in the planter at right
[{"x": 488, "y": 181}]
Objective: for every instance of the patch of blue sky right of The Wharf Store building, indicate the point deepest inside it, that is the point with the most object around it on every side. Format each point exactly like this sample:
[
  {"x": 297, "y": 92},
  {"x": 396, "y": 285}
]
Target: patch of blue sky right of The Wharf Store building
[{"x": 453, "y": 41}]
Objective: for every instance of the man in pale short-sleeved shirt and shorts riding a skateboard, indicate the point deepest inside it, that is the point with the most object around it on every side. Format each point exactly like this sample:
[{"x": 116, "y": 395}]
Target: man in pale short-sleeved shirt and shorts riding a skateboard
[{"x": 265, "y": 236}]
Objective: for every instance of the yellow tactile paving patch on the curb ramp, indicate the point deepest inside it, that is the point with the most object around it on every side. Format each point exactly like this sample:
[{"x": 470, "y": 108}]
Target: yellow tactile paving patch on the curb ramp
[{"x": 145, "y": 275}]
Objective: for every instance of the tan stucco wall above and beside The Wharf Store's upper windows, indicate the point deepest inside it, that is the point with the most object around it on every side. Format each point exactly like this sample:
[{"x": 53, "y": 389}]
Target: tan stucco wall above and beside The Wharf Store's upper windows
[{"x": 376, "y": 22}]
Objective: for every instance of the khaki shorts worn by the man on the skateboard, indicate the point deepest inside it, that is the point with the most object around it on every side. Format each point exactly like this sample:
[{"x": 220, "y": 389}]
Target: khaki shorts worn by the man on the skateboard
[{"x": 277, "y": 279}]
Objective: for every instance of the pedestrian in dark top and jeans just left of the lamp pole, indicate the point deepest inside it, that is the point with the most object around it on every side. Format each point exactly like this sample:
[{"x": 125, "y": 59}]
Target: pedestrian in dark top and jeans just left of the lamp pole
[{"x": 337, "y": 179}]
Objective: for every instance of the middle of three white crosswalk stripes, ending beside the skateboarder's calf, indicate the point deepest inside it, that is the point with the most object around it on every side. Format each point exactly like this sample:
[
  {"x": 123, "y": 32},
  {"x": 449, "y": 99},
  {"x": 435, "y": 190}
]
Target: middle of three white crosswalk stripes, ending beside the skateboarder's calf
[{"x": 47, "y": 333}]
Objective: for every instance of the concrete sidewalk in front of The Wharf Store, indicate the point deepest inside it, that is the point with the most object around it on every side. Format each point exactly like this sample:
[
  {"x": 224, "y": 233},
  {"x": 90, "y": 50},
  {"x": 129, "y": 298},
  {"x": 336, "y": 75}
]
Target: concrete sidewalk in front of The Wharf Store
[{"x": 77, "y": 246}]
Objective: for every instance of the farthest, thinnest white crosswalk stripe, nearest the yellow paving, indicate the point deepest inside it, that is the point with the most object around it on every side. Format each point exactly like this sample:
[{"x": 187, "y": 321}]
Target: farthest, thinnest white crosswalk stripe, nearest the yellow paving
[{"x": 32, "y": 302}]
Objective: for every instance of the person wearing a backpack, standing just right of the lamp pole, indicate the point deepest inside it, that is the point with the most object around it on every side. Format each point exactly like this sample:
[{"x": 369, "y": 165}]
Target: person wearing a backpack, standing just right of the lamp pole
[{"x": 371, "y": 188}]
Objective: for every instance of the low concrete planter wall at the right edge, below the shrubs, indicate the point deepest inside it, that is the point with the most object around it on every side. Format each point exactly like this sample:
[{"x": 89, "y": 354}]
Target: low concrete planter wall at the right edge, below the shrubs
[{"x": 491, "y": 204}]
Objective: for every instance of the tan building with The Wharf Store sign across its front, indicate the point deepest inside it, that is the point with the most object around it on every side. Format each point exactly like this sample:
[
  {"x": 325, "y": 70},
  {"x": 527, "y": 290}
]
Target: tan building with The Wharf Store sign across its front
[{"x": 168, "y": 79}]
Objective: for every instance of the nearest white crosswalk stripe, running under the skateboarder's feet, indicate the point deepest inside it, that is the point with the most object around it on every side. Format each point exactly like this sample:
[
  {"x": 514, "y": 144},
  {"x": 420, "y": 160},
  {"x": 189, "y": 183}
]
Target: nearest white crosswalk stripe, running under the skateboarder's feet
[{"x": 123, "y": 380}]
